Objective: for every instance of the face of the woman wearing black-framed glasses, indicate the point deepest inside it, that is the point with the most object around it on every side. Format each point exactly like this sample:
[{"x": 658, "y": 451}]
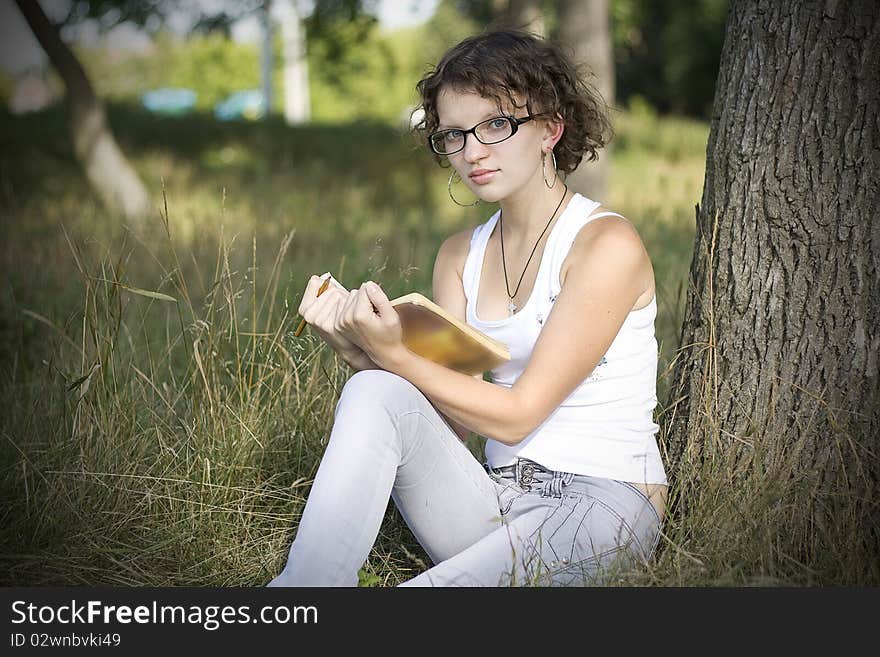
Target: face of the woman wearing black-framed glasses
[{"x": 495, "y": 172}]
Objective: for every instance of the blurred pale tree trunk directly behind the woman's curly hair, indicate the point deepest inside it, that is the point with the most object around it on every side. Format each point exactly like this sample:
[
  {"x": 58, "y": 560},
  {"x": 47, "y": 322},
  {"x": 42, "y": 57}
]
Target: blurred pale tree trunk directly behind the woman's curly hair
[{"x": 584, "y": 29}]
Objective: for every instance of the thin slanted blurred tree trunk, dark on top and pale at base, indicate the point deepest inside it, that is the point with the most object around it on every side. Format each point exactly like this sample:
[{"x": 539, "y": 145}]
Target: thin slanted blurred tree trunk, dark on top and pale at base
[{"x": 94, "y": 145}]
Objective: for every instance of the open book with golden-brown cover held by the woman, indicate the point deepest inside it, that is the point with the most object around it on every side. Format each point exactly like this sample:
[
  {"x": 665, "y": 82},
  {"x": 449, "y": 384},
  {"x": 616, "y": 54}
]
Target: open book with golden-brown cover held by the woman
[{"x": 433, "y": 333}]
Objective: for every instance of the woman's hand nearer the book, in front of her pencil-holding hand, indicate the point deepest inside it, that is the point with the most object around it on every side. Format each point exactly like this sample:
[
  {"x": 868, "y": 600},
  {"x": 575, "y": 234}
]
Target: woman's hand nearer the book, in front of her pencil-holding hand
[{"x": 368, "y": 320}]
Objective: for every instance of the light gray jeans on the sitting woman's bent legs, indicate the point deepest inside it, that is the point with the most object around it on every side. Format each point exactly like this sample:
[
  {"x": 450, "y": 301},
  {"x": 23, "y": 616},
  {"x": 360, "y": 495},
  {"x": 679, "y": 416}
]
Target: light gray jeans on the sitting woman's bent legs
[{"x": 515, "y": 526}]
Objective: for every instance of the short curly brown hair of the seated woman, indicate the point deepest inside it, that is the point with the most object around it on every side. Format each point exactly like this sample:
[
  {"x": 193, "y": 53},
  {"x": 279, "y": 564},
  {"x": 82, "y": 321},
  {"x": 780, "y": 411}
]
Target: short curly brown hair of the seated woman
[{"x": 504, "y": 64}]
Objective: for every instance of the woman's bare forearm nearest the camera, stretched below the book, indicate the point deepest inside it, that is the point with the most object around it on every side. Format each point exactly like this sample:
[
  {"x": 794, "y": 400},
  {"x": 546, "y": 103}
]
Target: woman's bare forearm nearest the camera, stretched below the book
[{"x": 487, "y": 409}]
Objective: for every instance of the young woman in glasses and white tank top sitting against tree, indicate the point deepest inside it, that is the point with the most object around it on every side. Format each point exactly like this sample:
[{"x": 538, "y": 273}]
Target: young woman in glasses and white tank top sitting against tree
[{"x": 573, "y": 481}]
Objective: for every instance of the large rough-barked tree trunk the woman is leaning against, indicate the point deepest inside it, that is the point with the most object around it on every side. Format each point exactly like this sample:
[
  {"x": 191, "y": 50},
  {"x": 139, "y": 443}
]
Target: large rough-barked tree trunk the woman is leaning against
[{"x": 780, "y": 337}]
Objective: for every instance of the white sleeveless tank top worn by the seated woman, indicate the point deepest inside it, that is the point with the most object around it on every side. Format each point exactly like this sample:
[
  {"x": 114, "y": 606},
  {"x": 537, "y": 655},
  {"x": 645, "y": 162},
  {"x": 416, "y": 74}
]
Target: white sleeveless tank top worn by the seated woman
[{"x": 605, "y": 427}]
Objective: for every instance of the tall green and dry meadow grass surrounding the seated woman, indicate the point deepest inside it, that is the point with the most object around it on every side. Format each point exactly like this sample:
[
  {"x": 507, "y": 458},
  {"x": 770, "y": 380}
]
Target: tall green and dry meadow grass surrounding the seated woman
[{"x": 161, "y": 424}]
